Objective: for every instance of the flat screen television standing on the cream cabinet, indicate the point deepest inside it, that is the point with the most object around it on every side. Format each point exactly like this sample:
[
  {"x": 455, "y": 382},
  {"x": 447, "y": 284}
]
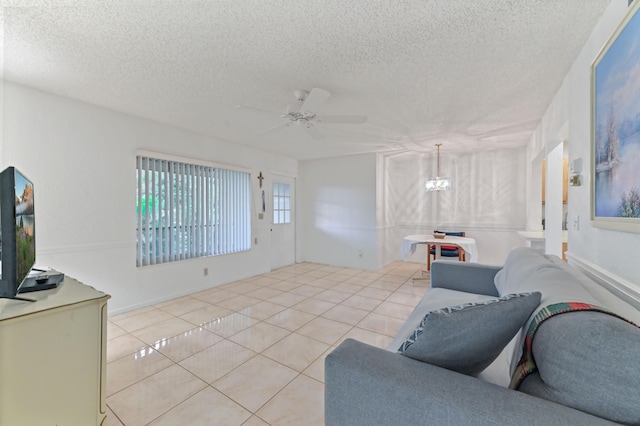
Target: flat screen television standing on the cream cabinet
[{"x": 17, "y": 230}]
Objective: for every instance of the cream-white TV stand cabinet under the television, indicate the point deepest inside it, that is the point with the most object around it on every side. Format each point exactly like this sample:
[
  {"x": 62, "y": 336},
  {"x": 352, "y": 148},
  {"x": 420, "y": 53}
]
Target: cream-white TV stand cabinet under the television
[{"x": 53, "y": 357}]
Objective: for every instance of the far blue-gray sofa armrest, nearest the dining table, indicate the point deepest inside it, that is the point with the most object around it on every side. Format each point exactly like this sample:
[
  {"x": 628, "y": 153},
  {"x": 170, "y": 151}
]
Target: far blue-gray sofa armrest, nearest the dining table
[{"x": 461, "y": 276}]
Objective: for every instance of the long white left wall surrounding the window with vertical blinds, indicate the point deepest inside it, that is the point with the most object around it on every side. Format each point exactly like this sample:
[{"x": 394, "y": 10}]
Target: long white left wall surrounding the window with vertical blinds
[{"x": 81, "y": 159}]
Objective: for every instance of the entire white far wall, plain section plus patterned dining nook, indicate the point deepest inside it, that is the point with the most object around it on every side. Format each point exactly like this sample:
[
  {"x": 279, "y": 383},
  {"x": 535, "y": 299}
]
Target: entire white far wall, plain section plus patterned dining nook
[{"x": 369, "y": 203}]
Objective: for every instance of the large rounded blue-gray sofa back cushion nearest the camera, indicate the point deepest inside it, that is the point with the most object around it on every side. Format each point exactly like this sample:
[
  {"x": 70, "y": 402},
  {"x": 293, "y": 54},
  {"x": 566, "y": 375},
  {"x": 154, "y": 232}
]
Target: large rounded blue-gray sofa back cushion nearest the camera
[{"x": 588, "y": 361}]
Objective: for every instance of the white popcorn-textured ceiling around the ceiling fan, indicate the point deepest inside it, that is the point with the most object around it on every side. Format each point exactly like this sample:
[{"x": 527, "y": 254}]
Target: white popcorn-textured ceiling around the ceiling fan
[{"x": 470, "y": 74}]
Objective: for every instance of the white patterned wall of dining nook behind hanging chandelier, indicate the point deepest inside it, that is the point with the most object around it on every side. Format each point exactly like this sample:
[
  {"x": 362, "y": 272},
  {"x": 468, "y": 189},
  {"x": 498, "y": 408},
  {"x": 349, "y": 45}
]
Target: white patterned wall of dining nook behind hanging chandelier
[{"x": 487, "y": 201}]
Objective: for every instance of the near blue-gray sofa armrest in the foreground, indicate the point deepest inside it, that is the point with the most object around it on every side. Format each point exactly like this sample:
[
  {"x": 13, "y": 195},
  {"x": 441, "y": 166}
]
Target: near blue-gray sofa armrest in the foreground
[{"x": 365, "y": 385}]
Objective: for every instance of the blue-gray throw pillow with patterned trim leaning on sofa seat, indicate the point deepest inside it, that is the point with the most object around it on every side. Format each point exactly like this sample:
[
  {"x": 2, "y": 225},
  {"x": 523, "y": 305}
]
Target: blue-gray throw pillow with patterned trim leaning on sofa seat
[{"x": 467, "y": 338}]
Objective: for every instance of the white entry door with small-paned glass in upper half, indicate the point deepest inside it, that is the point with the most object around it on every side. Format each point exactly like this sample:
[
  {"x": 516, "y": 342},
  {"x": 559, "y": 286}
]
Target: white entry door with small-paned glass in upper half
[{"x": 283, "y": 235}]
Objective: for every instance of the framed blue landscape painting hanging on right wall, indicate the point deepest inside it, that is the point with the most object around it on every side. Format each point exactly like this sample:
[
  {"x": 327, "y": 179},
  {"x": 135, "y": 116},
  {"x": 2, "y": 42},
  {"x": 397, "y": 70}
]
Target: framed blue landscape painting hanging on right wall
[{"x": 615, "y": 133}]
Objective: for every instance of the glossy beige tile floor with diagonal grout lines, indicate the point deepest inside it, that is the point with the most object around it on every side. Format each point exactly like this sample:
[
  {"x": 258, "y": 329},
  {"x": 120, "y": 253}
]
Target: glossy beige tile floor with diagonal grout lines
[{"x": 251, "y": 352}]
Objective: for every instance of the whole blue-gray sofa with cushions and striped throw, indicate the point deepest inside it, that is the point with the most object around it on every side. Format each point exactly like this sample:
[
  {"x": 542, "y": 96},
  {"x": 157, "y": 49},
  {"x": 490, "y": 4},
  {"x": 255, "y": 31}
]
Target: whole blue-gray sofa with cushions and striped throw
[{"x": 583, "y": 363}]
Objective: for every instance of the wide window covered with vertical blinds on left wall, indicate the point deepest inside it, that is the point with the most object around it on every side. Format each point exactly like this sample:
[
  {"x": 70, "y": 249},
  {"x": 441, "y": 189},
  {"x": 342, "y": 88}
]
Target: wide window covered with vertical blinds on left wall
[{"x": 184, "y": 211}]
